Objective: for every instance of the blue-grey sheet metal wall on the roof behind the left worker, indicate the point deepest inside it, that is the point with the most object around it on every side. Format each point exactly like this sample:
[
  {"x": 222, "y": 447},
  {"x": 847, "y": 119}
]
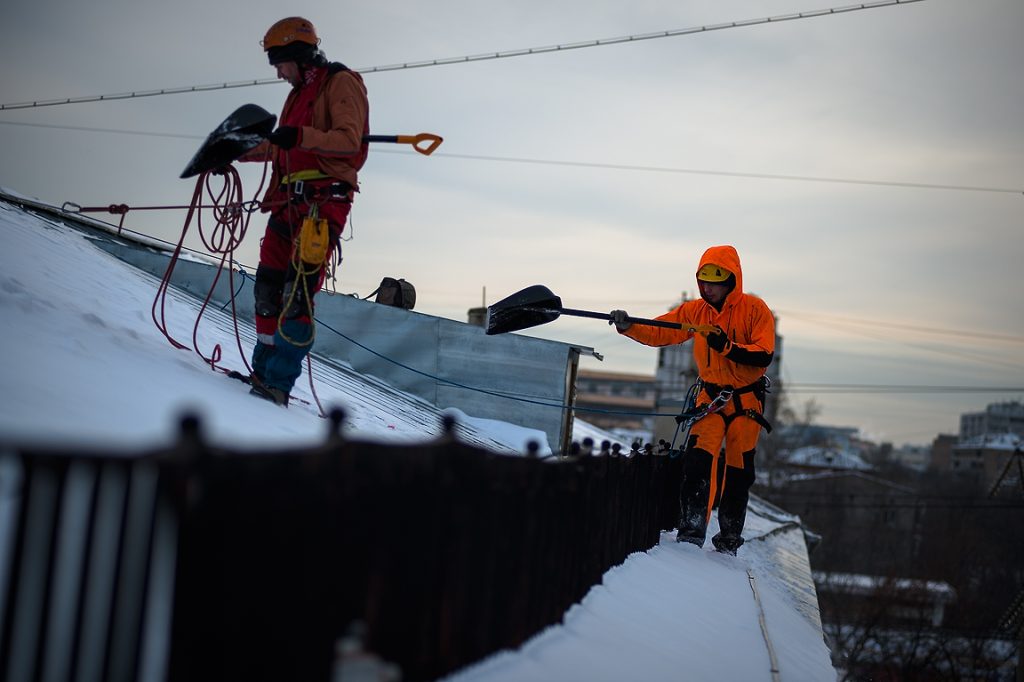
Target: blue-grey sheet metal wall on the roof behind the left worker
[{"x": 433, "y": 358}]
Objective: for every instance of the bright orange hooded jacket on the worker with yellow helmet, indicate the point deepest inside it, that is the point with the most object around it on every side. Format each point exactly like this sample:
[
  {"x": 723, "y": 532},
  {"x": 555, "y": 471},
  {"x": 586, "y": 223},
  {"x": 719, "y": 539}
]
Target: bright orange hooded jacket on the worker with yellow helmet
[{"x": 745, "y": 318}]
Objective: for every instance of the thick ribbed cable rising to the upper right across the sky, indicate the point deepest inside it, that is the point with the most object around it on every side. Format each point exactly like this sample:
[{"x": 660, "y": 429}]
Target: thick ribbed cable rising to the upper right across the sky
[{"x": 477, "y": 58}]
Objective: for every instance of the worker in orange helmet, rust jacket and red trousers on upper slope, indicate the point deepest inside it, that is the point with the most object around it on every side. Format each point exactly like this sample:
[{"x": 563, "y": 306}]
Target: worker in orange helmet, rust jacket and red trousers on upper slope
[{"x": 317, "y": 152}]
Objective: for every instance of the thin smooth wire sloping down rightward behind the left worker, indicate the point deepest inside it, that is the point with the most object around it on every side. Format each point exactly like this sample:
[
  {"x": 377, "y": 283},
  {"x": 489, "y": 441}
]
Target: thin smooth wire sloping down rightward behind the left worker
[{"x": 583, "y": 164}]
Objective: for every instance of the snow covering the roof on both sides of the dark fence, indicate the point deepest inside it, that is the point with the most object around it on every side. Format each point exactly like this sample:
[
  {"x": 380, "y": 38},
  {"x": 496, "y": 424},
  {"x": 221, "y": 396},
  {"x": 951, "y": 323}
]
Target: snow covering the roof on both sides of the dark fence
[{"x": 86, "y": 364}]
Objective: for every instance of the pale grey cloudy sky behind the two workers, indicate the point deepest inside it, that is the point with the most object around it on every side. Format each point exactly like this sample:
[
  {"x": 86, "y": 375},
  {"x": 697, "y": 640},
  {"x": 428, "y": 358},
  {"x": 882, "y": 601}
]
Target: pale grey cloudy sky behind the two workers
[{"x": 868, "y": 165}]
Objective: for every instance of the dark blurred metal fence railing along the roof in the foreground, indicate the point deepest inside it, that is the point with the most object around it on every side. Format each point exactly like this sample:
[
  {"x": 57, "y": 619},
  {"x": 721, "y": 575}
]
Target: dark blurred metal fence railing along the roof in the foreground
[{"x": 198, "y": 564}]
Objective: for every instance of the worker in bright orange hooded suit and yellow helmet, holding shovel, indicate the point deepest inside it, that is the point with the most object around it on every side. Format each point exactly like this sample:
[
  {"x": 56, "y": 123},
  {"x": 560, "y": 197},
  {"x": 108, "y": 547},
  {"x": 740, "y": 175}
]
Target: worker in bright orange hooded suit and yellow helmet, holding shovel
[{"x": 732, "y": 362}]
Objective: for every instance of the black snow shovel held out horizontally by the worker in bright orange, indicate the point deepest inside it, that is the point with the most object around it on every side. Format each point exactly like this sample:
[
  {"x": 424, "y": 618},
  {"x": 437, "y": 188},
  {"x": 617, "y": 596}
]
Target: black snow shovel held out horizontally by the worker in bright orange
[{"x": 538, "y": 306}]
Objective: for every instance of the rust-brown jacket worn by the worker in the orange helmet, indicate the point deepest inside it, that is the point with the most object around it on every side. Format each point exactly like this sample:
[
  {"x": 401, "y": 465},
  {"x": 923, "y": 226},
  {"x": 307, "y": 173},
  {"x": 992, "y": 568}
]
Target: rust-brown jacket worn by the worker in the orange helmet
[{"x": 340, "y": 119}]
